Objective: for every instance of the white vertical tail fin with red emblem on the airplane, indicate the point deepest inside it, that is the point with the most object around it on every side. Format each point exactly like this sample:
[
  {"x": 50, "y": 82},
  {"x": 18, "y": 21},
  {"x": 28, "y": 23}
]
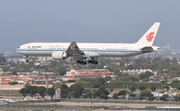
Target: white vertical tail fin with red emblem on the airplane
[{"x": 148, "y": 38}]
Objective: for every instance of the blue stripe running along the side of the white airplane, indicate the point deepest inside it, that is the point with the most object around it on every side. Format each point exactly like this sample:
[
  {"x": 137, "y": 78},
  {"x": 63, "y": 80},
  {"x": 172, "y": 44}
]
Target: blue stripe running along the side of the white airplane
[{"x": 50, "y": 50}]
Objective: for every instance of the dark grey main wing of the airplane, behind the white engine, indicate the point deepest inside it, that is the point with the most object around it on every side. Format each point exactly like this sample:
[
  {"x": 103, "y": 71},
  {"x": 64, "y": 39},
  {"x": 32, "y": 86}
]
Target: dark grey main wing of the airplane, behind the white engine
[{"x": 73, "y": 51}]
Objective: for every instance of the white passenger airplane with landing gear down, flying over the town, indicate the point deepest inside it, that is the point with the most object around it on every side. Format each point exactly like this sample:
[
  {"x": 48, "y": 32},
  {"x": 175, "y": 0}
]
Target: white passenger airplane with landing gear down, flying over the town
[{"x": 90, "y": 52}]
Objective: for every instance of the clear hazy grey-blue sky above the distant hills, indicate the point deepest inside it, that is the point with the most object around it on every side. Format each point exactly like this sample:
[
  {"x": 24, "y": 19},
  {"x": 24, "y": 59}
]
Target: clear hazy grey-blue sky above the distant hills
[{"x": 101, "y": 13}]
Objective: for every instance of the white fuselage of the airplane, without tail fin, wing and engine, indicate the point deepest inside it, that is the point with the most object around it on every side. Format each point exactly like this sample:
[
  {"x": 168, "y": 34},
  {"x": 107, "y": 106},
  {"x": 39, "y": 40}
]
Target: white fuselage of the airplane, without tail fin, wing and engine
[{"x": 102, "y": 49}]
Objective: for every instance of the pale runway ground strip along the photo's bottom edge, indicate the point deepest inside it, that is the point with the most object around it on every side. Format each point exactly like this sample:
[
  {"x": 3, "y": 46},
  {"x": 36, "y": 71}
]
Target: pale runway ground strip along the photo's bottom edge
[{"x": 89, "y": 106}]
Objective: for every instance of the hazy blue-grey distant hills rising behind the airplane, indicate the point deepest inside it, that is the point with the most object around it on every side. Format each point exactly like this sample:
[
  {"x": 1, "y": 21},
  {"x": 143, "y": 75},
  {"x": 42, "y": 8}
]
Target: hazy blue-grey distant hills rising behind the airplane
[{"x": 13, "y": 34}]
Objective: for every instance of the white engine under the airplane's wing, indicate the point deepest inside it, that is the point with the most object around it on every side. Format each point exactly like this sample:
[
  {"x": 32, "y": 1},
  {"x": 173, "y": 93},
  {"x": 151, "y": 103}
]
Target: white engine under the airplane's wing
[{"x": 59, "y": 55}]
